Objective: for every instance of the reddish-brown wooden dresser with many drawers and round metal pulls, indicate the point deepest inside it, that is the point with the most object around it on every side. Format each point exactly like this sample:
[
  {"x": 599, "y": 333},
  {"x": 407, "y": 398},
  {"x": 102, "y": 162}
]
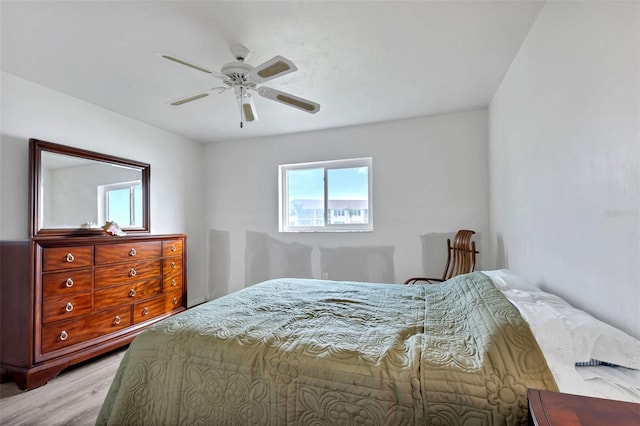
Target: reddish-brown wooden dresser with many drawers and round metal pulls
[{"x": 68, "y": 299}]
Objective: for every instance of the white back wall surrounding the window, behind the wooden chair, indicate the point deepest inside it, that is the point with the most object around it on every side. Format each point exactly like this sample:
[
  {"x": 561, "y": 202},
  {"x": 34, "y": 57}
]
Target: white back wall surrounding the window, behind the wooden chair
[{"x": 429, "y": 176}]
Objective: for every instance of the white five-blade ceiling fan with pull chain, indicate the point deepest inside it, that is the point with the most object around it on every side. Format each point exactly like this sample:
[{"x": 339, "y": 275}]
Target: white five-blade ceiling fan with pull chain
[{"x": 243, "y": 78}]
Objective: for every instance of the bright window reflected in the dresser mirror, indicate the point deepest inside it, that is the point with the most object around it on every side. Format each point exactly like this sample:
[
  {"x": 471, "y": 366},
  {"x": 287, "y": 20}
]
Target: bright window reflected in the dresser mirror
[{"x": 122, "y": 203}]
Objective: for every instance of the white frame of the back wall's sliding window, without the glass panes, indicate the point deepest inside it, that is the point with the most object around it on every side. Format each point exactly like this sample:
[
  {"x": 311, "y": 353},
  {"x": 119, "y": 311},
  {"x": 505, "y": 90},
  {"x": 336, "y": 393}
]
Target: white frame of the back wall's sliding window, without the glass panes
[{"x": 283, "y": 195}]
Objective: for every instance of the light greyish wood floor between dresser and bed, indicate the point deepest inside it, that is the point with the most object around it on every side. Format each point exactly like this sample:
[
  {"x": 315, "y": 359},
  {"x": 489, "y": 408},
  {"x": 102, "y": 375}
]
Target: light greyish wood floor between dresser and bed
[{"x": 72, "y": 398}]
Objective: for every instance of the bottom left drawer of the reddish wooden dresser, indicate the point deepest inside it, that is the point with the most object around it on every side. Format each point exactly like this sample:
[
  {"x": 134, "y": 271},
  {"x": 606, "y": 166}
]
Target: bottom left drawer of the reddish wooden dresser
[{"x": 66, "y": 333}]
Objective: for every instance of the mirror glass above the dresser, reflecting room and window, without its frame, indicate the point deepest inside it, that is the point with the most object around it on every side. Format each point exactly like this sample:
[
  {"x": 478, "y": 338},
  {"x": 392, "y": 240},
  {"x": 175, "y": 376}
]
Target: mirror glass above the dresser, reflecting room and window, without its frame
[{"x": 78, "y": 192}]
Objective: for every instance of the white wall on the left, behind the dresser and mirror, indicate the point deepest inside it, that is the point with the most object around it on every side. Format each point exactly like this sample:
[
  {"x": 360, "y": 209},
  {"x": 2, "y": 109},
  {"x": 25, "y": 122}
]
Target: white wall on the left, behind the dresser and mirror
[{"x": 32, "y": 111}]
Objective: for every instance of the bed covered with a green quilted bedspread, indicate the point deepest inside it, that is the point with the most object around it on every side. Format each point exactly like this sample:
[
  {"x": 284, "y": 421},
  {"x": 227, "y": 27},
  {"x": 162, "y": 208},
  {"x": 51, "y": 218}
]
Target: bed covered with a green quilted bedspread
[{"x": 311, "y": 352}]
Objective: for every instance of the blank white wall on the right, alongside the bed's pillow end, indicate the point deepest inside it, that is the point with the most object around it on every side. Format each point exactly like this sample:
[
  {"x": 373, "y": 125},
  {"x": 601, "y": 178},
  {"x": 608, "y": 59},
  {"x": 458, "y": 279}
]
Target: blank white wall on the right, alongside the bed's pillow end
[{"x": 565, "y": 159}]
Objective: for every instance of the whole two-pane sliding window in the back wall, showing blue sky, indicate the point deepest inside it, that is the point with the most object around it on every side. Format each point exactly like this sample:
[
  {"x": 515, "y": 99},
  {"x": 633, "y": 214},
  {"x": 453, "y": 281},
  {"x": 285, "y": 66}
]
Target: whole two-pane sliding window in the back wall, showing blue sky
[{"x": 326, "y": 196}]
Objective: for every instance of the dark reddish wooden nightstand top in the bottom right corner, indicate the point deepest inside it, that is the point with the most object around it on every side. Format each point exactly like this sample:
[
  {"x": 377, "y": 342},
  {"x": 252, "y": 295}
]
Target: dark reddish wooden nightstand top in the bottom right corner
[{"x": 548, "y": 408}]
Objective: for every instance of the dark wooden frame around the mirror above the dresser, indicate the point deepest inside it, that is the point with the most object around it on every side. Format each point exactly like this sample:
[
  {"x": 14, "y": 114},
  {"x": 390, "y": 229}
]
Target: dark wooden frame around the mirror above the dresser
[{"x": 36, "y": 147}]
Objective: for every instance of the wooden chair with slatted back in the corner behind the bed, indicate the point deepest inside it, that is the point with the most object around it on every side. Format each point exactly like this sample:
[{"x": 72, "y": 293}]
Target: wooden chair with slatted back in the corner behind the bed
[{"x": 461, "y": 258}]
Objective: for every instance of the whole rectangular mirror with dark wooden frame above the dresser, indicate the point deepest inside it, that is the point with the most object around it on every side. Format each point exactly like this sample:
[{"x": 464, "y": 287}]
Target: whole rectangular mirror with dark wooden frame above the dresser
[{"x": 76, "y": 192}]
